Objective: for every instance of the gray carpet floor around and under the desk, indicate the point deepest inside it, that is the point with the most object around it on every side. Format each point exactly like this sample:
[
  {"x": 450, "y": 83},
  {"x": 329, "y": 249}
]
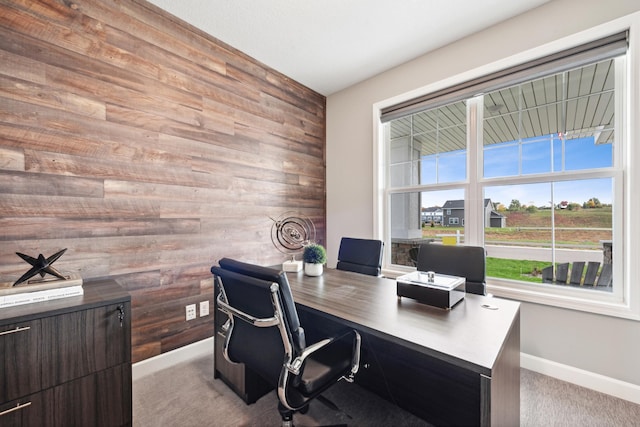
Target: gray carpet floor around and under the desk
[{"x": 187, "y": 395}]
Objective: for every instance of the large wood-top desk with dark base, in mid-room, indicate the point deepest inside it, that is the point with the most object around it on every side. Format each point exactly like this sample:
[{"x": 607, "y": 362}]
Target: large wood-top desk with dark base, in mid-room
[{"x": 449, "y": 367}]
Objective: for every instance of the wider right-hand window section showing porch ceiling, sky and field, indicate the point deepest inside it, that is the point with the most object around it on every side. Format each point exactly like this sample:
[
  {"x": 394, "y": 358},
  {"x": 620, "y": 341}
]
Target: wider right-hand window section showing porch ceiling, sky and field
[{"x": 548, "y": 165}]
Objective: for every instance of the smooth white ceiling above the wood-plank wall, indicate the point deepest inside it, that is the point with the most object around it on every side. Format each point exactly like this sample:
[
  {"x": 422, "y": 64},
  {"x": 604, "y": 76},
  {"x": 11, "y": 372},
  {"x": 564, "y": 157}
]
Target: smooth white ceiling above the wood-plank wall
[{"x": 329, "y": 45}]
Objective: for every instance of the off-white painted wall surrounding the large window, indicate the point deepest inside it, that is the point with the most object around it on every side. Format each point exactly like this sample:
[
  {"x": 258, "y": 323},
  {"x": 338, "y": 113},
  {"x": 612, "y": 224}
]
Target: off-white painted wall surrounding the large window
[{"x": 599, "y": 344}]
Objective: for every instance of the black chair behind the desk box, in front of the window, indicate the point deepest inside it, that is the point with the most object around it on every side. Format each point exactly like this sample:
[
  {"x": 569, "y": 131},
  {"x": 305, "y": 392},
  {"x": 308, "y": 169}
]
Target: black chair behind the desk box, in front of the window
[{"x": 456, "y": 260}]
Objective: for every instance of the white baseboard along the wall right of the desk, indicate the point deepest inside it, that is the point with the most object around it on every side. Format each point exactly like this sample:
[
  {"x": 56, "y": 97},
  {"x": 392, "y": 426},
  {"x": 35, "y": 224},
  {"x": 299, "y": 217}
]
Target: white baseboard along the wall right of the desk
[{"x": 597, "y": 382}]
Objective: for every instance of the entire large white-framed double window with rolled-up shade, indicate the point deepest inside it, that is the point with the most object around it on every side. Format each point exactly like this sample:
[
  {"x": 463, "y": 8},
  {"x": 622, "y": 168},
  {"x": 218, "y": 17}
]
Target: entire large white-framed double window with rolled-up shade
[{"x": 527, "y": 163}]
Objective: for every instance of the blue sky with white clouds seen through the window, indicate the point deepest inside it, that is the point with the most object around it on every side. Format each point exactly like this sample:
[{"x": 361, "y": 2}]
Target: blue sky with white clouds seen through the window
[{"x": 501, "y": 160}]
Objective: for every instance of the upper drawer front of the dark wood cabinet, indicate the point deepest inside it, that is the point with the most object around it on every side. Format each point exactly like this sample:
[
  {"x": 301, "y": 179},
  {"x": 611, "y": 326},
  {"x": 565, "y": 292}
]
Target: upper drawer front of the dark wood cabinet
[{"x": 42, "y": 353}]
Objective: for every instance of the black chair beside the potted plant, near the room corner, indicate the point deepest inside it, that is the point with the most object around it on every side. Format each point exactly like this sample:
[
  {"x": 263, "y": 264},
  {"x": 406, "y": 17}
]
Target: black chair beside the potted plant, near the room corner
[{"x": 361, "y": 256}]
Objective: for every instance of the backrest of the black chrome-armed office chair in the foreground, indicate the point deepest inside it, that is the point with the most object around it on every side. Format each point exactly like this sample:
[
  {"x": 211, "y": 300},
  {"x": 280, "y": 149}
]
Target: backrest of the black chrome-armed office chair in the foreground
[{"x": 247, "y": 288}]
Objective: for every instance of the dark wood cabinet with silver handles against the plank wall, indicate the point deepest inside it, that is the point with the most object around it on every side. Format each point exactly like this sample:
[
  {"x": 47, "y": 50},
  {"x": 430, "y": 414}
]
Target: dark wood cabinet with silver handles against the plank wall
[{"x": 68, "y": 362}]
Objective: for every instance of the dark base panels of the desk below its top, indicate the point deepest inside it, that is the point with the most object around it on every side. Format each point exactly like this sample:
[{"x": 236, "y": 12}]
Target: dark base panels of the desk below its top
[{"x": 437, "y": 391}]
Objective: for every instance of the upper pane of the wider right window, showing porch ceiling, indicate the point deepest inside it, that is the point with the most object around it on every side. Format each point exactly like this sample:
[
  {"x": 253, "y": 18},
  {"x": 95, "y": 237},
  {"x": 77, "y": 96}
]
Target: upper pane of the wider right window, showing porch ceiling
[{"x": 558, "y": 123}]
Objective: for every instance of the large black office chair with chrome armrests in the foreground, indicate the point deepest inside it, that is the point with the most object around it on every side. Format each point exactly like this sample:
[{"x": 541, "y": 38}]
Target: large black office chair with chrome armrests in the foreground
[{"x": 263, "y": 332}]
